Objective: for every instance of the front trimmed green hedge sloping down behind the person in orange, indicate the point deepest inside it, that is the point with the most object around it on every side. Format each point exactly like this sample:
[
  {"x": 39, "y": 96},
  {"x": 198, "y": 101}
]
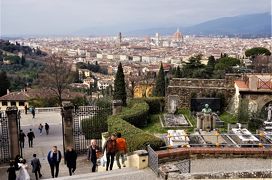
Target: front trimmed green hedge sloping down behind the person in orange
[{"x": 136, "y": 138}]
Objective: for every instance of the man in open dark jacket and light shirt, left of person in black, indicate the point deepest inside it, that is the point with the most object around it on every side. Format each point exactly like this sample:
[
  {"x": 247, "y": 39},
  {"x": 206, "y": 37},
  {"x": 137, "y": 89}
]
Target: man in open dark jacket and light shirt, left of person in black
[{"x": 54, "y": 158}]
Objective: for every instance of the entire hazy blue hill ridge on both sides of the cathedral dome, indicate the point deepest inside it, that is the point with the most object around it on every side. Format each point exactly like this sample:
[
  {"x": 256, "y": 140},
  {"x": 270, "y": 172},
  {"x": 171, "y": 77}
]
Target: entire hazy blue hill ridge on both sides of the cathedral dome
[{"x": 252, "y": 25}]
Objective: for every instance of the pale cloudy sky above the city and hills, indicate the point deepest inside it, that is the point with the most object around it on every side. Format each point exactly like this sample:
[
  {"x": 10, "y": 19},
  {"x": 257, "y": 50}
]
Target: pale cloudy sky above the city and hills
[{"x": 66, "y": 17}]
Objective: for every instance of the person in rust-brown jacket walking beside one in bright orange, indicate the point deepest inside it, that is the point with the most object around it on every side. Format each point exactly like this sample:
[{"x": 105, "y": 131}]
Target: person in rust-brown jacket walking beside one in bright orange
[{"x": 110, "y": 148}]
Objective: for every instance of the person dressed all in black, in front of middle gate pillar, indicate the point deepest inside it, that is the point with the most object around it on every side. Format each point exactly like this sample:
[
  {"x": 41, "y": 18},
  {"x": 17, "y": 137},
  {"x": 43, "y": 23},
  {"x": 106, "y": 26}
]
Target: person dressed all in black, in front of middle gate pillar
[{"x": 71, "y": 157}]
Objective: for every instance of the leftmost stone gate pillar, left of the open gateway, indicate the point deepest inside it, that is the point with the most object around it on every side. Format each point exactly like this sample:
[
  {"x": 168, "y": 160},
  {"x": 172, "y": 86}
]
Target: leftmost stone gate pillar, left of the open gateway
[{"x": 12, "y": 113}]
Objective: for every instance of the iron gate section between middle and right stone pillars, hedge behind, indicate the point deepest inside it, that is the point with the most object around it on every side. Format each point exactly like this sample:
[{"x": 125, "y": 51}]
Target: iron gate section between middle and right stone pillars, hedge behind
[{"x": 89, "y": 123}]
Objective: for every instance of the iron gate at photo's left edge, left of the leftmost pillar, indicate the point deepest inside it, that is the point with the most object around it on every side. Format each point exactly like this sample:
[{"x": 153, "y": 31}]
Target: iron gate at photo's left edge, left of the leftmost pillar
[{"x": 4, "y": 140}]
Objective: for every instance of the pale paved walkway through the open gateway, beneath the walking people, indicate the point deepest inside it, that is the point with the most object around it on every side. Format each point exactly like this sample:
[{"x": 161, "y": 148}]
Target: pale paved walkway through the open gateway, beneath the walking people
[{"x": 43, "y": 143}]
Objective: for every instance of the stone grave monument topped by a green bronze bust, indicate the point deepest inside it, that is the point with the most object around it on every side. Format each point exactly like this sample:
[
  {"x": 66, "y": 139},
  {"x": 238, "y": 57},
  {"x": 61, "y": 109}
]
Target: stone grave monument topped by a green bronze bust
[{"x": 205, "y": 119}]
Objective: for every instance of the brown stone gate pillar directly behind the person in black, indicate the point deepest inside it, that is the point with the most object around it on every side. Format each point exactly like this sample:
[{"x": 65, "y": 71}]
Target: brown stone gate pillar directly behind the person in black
[{"x": 67, "y": 120}]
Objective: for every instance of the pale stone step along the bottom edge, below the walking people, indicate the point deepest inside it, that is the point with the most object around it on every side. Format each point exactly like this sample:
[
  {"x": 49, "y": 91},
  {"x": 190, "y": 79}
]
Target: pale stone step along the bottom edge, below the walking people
[{"x": 117, "y": 174}]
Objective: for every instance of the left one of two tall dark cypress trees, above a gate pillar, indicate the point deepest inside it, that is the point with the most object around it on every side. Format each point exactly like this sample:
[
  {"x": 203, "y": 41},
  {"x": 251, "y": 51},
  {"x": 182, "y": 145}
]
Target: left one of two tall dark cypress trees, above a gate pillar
[{"x": 119, "y": 92}]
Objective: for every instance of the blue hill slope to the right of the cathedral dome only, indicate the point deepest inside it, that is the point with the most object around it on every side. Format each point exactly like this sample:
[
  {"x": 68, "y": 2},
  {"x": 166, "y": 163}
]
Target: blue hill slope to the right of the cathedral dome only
[{"x": 251, "y": 25}]
